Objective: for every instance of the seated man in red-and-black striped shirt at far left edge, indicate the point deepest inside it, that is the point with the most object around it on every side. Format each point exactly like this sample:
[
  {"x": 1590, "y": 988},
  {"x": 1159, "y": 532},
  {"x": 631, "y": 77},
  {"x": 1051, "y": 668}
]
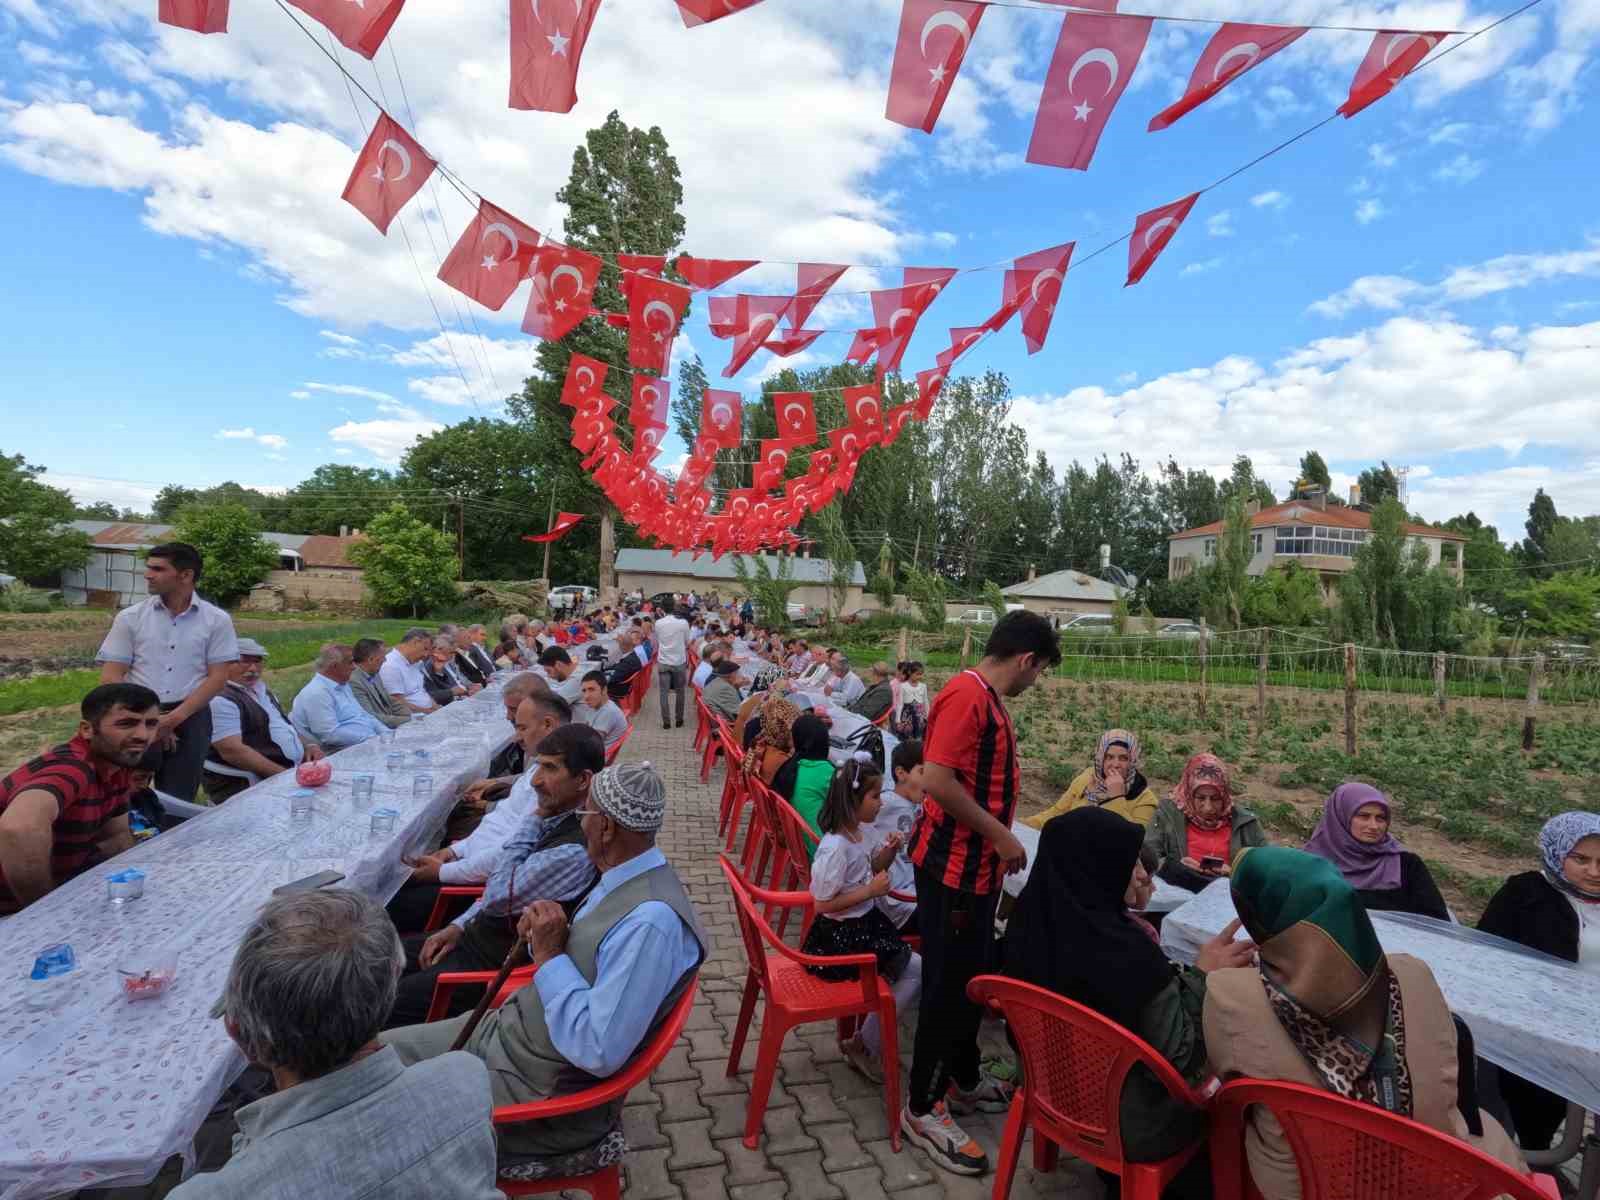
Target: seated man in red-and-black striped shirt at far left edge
[{"x": 68, "y": 809}]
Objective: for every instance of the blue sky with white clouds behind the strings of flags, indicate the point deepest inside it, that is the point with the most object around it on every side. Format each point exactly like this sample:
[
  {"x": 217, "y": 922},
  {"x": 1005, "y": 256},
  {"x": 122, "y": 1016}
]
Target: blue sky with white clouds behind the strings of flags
[{"x": 191, "y": 302}]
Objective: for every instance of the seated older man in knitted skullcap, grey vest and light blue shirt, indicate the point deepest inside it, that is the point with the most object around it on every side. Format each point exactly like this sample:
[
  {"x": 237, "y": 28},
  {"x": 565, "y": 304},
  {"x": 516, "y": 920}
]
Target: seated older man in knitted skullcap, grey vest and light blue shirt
[{"x": 606, "y": 980}]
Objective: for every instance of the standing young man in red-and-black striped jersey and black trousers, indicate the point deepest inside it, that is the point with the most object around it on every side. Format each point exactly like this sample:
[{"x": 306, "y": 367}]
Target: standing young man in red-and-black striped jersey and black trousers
[{"x": 962, "y": 847}]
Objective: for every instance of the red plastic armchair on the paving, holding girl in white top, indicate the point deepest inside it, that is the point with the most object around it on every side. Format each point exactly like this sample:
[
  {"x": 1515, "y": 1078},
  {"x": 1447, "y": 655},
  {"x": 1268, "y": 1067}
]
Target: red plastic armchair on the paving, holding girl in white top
[{"x": 796, "y": 998}]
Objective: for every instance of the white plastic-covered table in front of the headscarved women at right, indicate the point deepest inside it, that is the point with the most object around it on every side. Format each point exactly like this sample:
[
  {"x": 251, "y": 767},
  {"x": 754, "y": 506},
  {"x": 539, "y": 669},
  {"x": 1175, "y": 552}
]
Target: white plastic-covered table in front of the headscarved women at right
[{"x": 1535, "y": 1015}]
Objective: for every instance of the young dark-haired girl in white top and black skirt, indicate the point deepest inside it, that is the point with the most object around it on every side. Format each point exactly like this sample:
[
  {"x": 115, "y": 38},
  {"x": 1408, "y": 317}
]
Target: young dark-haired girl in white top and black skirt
[{"x": 847, "y": 882}]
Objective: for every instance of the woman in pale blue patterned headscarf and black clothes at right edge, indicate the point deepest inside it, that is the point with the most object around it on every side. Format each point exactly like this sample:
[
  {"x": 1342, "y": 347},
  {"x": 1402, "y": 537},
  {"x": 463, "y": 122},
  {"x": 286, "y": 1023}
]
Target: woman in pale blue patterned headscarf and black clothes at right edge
[{"x": 1556, "y": 911}]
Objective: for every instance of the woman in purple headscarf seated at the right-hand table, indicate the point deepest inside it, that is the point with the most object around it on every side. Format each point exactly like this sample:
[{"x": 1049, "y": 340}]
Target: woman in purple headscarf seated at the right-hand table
[{"x": 1354, "y": 836}]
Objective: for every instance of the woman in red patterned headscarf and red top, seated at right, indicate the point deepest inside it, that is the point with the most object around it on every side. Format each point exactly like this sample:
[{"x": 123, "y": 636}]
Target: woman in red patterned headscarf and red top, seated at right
[{"x": 1199, "y": 830}]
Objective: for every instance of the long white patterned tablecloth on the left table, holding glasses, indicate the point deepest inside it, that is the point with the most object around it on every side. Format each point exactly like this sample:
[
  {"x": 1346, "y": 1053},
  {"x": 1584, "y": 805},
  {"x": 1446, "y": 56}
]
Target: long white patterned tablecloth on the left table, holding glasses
[{"x": 100, "y": 1090}]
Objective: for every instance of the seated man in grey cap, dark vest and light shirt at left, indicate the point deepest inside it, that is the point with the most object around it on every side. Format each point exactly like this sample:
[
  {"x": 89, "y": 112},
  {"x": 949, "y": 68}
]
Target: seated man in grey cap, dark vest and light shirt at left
[{"x": 252, "y": 737}]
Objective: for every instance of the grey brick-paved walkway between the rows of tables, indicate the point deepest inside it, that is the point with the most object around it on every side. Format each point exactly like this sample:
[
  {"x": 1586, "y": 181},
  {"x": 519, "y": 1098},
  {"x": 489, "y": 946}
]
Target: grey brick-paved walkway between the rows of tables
[{"x": 826, "y": 1129}]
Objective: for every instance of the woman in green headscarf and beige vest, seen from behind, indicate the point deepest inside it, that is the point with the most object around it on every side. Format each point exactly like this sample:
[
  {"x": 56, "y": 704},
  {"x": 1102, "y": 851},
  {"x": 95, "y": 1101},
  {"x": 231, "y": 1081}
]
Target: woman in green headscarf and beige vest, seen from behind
[{"x": 1327, "y": 1007}]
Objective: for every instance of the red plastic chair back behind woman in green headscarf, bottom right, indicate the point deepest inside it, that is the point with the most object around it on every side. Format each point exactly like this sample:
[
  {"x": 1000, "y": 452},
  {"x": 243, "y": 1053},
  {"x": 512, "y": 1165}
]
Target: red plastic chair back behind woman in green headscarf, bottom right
[{"x": 1351, "y": 1151}]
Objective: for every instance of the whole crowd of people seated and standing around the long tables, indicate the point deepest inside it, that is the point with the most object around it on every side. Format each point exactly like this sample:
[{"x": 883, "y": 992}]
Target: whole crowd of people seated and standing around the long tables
[{"x": 330, "y": 991}]
